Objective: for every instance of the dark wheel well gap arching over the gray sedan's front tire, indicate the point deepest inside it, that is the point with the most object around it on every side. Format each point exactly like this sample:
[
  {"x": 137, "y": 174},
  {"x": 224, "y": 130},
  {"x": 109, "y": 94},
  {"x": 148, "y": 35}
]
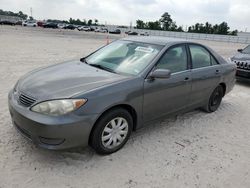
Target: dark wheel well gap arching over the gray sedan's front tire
[{"x": 127, "y": 107}]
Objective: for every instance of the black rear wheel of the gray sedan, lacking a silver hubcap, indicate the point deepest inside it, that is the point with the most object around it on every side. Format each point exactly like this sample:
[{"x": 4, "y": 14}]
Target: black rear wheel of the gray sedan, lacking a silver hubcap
[{"x": 214, "y": 100}]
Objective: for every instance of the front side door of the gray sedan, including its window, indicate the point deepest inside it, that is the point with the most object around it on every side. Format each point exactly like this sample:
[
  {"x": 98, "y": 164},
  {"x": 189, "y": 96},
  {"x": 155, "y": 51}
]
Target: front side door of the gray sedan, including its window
[{"x": 164, "y": 96}]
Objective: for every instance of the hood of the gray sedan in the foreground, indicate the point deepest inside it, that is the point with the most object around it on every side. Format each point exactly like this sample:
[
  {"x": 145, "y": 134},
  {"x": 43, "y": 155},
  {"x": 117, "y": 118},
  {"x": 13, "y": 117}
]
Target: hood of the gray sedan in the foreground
[{"x": 65, "y": 80}]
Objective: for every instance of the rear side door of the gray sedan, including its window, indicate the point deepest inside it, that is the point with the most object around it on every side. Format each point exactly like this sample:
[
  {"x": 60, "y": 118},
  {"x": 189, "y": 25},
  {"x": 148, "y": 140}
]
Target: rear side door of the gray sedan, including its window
[{"x": 206, "y": 73}]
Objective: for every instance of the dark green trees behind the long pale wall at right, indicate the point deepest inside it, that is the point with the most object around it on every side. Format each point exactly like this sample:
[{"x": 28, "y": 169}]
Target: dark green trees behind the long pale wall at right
[{"x": 166, "y": 23}]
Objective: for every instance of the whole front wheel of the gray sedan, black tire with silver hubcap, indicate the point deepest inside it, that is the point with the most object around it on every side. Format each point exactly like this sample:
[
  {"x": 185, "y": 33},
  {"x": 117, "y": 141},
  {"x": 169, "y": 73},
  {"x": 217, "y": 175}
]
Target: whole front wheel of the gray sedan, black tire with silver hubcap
[{"x": 107, "y": 138}]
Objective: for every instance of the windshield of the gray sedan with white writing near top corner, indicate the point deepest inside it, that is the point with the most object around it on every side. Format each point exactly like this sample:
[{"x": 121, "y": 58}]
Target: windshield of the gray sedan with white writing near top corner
[{"x": 124, "y": 57}]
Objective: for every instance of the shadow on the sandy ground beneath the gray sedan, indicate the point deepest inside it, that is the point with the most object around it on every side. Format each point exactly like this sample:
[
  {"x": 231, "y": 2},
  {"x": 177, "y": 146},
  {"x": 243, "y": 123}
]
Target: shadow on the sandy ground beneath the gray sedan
[{"x": 89, "y": 156}]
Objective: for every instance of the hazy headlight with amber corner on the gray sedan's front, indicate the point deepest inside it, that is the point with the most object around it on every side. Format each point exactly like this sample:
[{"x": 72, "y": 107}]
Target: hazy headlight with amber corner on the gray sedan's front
[{"x": 58, "y": 107}]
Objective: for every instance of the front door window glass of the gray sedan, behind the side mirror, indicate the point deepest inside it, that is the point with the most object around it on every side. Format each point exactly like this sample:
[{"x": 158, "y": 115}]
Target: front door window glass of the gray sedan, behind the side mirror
[{"x": 175, "y": 59}]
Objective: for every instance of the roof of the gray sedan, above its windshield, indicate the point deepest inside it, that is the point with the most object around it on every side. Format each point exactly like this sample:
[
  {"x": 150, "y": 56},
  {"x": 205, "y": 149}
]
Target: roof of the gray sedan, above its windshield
[{"x": 156, "y": 40}]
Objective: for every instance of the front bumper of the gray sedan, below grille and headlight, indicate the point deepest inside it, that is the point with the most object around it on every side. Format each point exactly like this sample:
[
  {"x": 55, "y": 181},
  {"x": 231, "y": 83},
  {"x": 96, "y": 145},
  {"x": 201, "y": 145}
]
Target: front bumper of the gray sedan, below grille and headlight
[{"x": 50, "y": 132}]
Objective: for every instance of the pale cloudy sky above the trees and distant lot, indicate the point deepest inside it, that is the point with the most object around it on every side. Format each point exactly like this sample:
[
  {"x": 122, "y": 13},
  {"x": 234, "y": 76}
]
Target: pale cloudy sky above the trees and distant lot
[{"x": 121, "y": 12}]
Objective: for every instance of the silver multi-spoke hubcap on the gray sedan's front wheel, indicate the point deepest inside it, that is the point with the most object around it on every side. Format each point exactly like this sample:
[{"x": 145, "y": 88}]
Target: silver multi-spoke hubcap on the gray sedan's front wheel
[{"x": 114, "y": 133}]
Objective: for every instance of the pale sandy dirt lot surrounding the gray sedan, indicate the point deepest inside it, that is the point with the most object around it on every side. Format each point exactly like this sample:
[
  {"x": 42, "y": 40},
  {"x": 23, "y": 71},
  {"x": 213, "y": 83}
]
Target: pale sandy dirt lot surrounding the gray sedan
[{"x": 191, "y": 150}]
